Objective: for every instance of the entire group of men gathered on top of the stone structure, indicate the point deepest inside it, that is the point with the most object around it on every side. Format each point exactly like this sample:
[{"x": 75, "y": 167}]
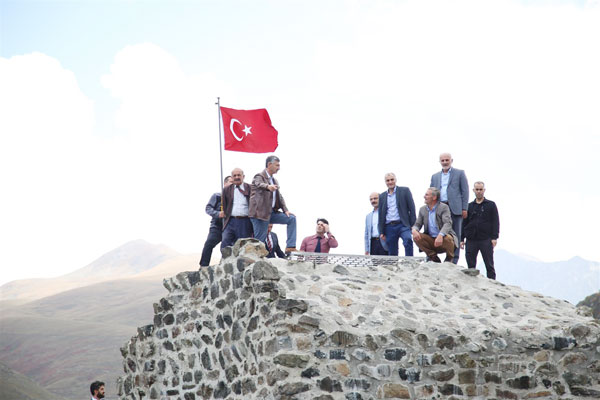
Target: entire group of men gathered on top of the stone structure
[{"x": 447, "y": 218}]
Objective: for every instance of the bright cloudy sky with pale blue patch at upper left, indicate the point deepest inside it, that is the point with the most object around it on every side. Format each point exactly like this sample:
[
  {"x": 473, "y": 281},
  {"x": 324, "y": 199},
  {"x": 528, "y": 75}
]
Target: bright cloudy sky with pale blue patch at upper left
[{"x": 109, "y": 130}]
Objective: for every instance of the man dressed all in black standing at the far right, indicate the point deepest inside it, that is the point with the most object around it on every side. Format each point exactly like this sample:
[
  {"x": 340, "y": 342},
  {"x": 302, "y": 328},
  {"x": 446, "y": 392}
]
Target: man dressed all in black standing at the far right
[{"x": 481, "y": 229}]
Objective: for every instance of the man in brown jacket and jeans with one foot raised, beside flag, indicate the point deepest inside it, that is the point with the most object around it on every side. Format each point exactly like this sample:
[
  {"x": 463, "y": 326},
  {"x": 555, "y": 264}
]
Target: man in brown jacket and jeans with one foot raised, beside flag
[{"x": 266, "y": 202}]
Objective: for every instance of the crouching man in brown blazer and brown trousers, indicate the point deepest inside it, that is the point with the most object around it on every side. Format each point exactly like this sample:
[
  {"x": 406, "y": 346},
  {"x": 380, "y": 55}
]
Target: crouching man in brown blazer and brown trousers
[{"x": 438, "y": 236}]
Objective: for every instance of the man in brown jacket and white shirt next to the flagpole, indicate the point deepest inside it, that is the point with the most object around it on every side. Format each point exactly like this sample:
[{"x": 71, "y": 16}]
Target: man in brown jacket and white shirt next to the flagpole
[{"x": 236, "y": 223}]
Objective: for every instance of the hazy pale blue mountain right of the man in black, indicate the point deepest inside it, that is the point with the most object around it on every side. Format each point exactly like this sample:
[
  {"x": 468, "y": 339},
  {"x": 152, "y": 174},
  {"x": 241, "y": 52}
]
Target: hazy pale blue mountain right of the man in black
[{"x": 571, "y": 280}]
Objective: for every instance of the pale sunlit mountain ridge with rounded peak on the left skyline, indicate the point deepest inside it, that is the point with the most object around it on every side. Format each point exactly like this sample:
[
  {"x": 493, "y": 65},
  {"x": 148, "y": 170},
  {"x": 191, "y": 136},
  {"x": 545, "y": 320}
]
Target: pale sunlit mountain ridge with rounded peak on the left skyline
[{"x": 127, "y": 260}]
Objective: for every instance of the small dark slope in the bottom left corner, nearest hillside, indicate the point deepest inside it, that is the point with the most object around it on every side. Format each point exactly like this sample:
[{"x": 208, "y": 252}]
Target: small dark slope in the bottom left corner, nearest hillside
[{"x": 16, "y": 386}]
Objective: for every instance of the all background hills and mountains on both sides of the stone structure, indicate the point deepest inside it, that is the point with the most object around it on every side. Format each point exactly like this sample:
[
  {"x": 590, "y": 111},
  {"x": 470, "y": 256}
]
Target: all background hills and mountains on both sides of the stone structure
[{"x": 65, "y": 339}]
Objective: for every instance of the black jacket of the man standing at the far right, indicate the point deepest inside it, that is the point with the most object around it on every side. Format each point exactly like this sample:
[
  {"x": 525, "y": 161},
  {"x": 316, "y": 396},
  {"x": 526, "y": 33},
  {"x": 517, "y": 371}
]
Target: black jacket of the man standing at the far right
[{"x": 482, "y": 221}]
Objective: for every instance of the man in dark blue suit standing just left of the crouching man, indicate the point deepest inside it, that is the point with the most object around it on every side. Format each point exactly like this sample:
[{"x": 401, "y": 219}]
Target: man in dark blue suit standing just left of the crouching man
[{"x": 396, "y": 216}]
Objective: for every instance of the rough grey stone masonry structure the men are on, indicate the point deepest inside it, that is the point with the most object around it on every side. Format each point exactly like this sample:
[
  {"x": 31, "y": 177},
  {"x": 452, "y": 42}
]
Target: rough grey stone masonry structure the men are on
[{"x": 255, "y": 328}]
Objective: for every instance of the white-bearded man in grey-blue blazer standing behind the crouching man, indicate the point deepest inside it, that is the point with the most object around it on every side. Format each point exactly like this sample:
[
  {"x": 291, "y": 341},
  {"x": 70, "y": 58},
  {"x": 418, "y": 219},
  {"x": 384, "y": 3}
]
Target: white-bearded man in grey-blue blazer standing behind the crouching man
[{"x": 454, "y": 191}]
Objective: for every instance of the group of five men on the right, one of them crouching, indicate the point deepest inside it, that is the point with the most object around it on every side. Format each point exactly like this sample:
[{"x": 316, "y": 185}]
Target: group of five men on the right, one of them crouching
[{"x": 447, "y": 218}]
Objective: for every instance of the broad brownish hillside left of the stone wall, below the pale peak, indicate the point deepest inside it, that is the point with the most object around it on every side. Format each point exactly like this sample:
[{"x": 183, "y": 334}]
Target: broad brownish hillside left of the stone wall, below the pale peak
[{"x": 66, "y": 341}]
